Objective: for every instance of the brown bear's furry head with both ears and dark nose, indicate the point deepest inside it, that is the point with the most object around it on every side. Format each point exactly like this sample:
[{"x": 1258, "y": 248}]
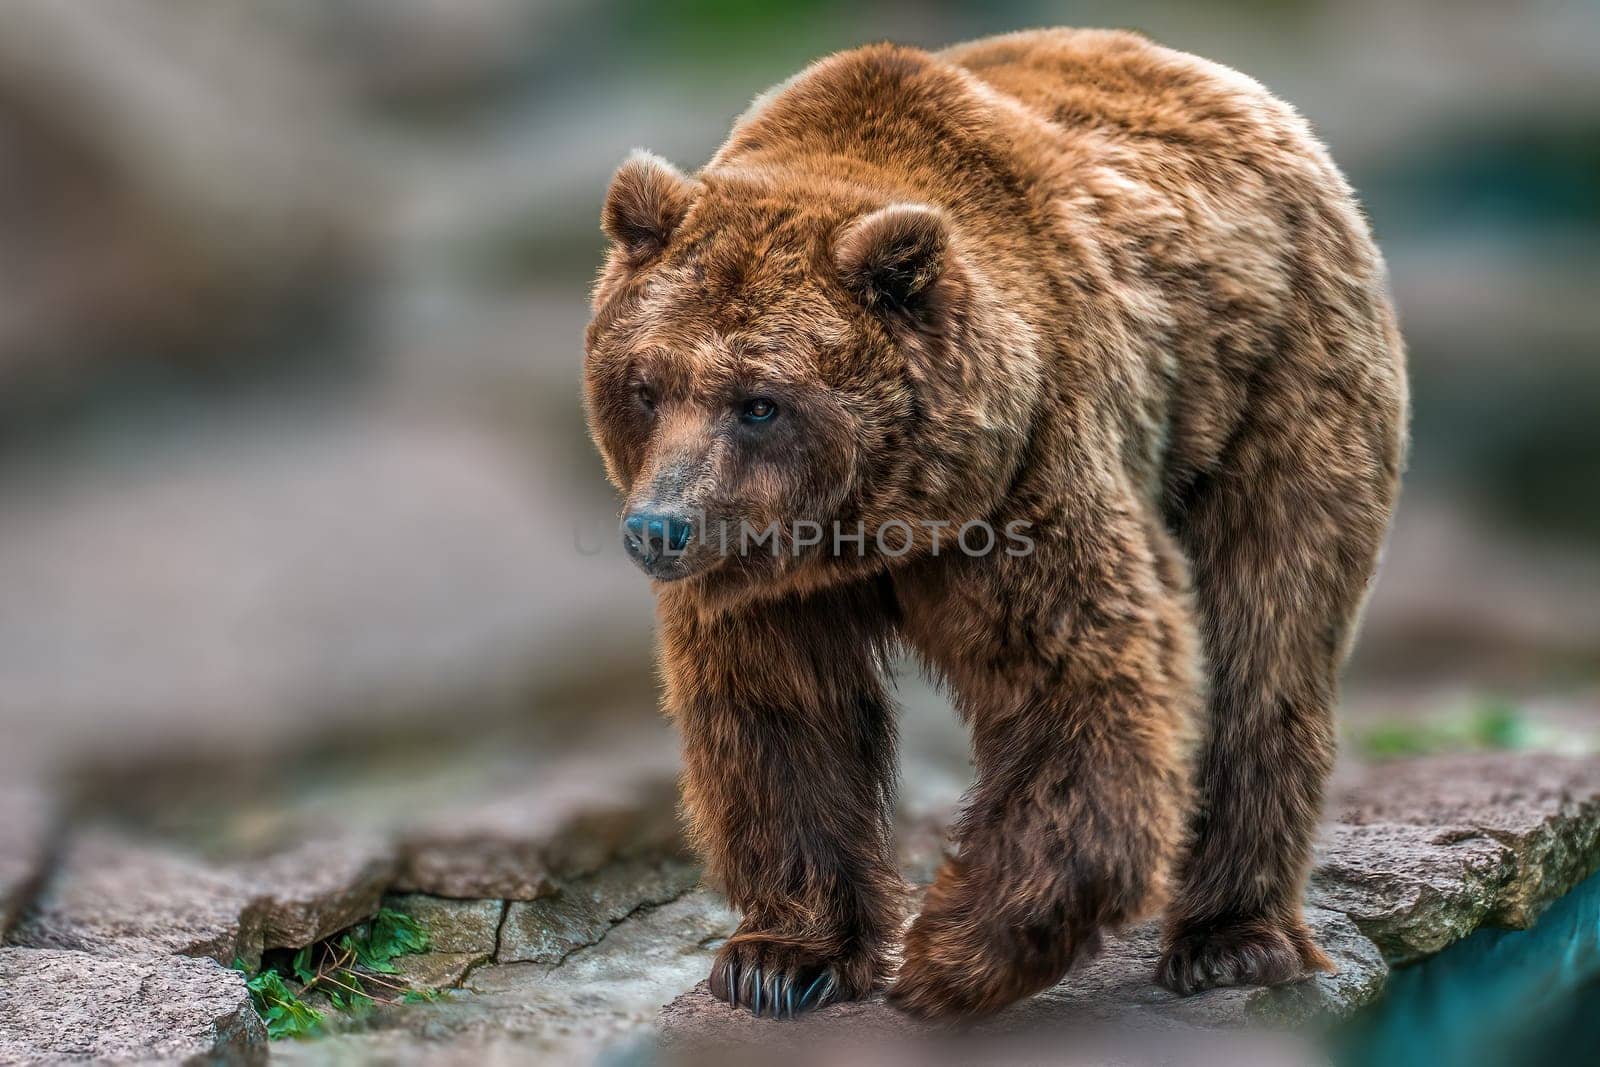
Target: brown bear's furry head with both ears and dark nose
[{"x": 790, "y": 377}]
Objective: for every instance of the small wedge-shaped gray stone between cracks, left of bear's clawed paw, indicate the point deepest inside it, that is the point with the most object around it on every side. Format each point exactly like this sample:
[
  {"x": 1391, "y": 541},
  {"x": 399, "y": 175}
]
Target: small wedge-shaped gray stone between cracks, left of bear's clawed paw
[{"x": 583, "y": 911}]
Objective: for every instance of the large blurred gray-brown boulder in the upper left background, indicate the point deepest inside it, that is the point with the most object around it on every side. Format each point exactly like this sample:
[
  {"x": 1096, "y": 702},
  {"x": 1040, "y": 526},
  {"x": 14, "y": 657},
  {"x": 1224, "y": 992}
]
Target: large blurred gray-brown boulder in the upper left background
[{"x": 217, "y": 188}]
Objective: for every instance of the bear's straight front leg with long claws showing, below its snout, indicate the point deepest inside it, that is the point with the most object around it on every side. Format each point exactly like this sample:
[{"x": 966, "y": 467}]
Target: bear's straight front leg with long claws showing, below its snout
[{"x": 790, "y": 789}]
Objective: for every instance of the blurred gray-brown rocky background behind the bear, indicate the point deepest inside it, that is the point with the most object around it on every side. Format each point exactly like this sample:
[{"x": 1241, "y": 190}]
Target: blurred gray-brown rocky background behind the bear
[{"x": 295, "y": 490}]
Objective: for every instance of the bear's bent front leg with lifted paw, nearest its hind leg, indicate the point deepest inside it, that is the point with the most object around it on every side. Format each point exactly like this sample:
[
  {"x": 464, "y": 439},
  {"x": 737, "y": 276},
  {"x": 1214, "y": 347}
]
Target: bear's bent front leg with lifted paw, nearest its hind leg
[{"x": 1078, "y": 669}]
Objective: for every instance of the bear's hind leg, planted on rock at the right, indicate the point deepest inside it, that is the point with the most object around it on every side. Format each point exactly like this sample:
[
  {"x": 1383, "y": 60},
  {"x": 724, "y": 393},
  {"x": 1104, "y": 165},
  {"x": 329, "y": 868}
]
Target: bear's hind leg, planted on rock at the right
[{"x": 1282, "y": 549}]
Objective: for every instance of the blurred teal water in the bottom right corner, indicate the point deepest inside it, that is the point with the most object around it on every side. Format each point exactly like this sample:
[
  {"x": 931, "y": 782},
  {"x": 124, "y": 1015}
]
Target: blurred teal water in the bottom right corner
[{"x": 1497, "y": 999}]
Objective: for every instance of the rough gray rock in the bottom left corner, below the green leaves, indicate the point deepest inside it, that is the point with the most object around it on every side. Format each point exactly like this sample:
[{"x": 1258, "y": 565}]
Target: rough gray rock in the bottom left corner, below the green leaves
[{"x": 70, "y": 1007}]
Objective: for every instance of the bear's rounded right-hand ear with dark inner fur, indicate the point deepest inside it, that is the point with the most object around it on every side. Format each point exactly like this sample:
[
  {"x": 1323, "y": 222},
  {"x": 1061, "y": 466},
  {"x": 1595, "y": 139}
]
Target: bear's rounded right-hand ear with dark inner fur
[{"x": 894, "y": 257}]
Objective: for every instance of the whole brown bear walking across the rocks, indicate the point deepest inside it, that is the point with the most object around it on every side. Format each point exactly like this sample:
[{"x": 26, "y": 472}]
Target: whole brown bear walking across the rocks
[{"x": 1106, "y": 306}]
